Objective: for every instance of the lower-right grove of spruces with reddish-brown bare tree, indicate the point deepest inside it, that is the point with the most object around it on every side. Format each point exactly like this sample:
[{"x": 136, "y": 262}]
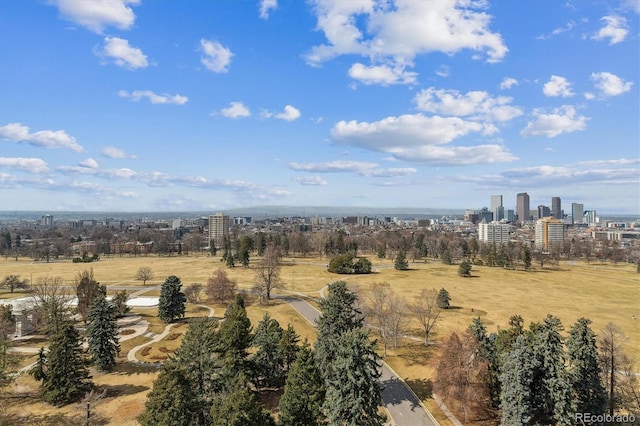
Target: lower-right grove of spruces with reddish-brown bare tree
[{"x": 536, "y": 375}]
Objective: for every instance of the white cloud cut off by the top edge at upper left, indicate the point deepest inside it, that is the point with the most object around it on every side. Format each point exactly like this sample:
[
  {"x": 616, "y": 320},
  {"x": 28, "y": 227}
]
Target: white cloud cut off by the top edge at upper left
[{"x": 95, "y": 15}]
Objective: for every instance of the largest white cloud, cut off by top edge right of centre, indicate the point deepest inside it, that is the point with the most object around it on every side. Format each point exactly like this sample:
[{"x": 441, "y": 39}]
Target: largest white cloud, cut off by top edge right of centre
[{"x": 394, "y": 32}]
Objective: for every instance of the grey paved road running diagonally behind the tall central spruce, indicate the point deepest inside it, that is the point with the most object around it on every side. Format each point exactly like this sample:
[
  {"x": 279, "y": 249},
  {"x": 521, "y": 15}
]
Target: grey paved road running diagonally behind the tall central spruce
[{"x": 403, "y": 405}]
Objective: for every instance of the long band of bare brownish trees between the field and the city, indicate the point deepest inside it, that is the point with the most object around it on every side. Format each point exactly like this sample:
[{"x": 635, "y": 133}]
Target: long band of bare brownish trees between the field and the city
[{"x": 449, "y": 247}]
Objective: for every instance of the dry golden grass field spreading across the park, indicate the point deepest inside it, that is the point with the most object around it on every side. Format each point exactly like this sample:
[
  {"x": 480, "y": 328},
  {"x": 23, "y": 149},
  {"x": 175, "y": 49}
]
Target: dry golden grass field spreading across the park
[{"x": 601, "y": 292}]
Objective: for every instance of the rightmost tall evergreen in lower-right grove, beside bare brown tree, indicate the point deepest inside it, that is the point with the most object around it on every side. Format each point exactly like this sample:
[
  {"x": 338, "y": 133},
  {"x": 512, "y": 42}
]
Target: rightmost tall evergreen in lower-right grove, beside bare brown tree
[{"x": 588, "y": 391}]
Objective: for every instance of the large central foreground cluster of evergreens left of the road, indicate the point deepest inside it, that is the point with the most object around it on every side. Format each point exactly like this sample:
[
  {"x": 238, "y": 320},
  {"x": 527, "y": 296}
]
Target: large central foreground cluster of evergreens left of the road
[{"x": 216, "y": 375}]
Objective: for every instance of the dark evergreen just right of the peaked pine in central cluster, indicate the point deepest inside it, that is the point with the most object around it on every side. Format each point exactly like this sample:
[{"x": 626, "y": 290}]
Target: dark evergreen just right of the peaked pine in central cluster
[{"x": 267, "y": 360}]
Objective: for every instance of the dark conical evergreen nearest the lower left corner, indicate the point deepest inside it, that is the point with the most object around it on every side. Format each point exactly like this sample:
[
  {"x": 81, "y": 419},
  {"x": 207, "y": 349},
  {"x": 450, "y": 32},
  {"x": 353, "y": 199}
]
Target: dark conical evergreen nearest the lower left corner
[{"x": 66, "y": 375}]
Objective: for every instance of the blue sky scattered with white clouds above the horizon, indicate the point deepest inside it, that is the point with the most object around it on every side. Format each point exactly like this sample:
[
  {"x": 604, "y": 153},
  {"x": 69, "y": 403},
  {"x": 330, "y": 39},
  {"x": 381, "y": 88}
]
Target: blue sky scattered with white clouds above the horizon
[{"x": 149, "y": 105}]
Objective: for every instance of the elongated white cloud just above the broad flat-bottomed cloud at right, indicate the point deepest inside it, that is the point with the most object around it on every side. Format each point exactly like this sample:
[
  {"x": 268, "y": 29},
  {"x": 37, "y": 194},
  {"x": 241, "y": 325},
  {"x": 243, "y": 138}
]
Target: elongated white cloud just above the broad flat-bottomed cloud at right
[{"x": 474, "y": 104}]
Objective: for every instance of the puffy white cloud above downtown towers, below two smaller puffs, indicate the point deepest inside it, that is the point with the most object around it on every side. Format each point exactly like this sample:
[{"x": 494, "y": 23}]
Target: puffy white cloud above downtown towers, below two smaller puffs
[{"x": 560, "y": 120}]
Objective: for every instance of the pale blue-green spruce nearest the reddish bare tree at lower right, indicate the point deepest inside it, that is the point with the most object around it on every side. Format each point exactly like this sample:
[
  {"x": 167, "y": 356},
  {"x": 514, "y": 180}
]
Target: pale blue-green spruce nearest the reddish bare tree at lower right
[{"x": 516, "y": 380}]
